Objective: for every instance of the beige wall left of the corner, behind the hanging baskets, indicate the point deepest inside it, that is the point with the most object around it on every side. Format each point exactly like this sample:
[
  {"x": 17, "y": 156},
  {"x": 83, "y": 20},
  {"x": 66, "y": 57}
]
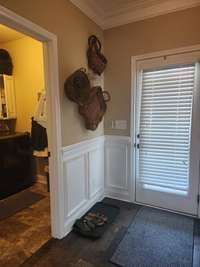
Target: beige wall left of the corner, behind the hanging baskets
[{"x": 72, "y": 29}]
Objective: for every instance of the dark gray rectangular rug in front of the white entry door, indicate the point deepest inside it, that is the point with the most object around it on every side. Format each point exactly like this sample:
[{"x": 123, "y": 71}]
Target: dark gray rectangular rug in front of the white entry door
[{"x": 156, "y": 239}]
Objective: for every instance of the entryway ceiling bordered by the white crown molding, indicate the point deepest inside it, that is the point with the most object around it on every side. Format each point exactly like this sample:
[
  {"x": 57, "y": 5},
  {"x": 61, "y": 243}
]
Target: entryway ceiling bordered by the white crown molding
[{"x": 112, "y": 13}]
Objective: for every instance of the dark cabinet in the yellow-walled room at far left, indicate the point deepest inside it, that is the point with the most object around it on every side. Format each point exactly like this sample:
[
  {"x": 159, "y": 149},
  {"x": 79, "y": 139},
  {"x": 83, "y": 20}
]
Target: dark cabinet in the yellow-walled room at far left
[{"x": 17, "y": 168}]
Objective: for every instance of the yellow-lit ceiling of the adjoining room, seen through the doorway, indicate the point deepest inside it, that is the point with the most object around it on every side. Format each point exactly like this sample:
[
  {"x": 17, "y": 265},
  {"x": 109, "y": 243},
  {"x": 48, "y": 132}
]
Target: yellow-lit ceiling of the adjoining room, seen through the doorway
[{"x": 8, "y": 34}]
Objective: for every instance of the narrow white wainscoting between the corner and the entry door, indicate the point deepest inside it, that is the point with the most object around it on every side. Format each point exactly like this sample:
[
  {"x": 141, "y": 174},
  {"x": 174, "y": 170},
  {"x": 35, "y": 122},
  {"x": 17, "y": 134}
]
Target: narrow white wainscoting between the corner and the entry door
[{"x": 118, "y": 182}]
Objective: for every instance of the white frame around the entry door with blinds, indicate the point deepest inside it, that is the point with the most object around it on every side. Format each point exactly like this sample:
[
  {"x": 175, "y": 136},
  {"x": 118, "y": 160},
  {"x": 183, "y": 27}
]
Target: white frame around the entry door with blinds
[{"x": 133, "y": 115}]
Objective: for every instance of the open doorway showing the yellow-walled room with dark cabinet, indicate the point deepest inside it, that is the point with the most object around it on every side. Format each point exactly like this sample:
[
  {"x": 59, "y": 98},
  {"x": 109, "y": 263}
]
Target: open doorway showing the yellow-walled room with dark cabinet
[{"x": 24, "y": 164}]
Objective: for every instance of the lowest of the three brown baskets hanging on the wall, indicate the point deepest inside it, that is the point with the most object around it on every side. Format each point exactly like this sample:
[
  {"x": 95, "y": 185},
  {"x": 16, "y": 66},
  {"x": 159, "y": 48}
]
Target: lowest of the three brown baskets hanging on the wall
[{"x": 95, "y": 108}]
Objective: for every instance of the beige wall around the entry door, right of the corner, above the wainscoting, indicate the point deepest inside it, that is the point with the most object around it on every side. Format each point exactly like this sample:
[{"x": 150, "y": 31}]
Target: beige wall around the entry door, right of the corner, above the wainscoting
[{"x": 160, "y": 33}]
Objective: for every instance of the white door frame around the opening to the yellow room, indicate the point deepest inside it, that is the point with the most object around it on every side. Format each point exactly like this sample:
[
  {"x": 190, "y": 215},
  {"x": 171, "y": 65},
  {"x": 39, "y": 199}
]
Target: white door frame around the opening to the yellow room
[{"x": 49, "y": 40}]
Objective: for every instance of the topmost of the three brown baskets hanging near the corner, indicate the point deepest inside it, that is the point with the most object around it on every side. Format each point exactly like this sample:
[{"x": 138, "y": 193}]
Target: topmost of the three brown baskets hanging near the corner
[{"x": 96, "y": 60}]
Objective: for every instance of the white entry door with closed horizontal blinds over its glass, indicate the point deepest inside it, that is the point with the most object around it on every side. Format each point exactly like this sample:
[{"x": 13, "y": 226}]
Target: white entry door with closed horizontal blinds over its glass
[{"x": 167, "y": 134}]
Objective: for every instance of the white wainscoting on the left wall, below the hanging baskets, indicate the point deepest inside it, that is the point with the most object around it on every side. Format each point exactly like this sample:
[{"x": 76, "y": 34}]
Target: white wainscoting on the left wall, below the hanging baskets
[{"x": 83, "y": 167}]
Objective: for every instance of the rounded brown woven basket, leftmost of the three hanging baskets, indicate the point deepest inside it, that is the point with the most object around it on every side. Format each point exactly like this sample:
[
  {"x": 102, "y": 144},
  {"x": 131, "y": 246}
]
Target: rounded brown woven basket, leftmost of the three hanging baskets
[{"x": 77, "y": 87}]
